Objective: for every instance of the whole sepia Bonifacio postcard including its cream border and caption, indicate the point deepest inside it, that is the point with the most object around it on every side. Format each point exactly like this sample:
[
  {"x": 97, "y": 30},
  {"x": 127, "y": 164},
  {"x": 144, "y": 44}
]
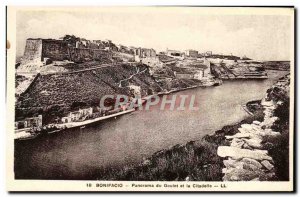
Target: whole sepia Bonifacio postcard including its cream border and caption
[{"x": 160, "y": 99}]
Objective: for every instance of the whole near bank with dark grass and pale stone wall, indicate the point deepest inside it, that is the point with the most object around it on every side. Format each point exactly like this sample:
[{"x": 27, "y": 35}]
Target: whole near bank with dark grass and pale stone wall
[{"x": 255, "y": 149}]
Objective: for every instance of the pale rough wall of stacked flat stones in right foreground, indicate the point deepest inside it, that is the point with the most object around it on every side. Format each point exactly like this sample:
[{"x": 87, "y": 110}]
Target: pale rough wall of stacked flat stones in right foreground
[{"x": 245, "y": 158}]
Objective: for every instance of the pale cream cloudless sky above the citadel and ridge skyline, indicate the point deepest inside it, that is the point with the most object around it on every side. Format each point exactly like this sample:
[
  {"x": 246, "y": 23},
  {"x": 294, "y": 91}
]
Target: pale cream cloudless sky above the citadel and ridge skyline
[{"x": 260, "y": 37}]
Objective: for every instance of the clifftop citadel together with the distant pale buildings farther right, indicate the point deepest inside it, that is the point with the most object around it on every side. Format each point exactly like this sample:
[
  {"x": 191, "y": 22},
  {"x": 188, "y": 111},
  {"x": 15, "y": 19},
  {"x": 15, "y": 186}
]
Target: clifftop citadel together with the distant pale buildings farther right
[{"x": 80, "y": 50}]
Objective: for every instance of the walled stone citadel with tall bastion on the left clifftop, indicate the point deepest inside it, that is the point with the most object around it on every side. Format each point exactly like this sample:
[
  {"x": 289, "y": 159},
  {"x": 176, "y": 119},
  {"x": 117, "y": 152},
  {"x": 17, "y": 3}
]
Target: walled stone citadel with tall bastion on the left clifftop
[{"x": 43, "y": 51}]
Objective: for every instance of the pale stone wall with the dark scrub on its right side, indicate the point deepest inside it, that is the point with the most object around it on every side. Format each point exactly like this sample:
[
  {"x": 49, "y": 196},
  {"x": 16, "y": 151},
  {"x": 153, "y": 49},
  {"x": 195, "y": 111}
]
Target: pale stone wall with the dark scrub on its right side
[{"x": 249, "y": 156}]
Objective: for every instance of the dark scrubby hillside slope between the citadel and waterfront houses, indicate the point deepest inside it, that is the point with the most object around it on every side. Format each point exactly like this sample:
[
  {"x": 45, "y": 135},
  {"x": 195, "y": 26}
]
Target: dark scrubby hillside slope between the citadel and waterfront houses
[{"x": 56, "y": 94}]
